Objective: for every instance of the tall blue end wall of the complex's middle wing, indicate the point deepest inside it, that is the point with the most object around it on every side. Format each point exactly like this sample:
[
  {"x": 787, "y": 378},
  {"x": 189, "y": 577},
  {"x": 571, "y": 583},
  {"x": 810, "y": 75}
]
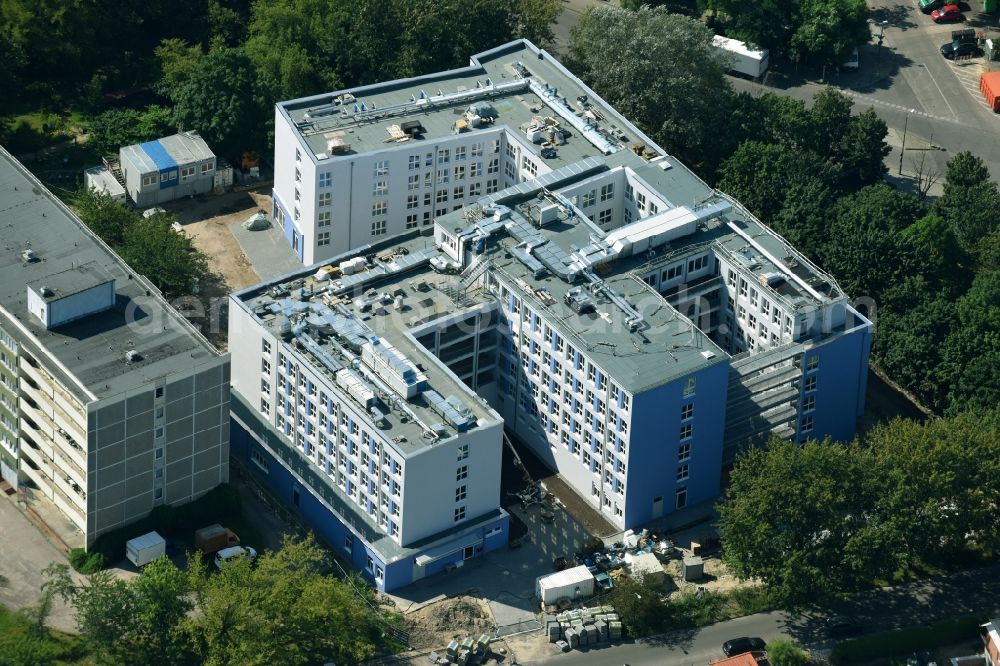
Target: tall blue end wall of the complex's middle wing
[{"x": 654, "y": 456}]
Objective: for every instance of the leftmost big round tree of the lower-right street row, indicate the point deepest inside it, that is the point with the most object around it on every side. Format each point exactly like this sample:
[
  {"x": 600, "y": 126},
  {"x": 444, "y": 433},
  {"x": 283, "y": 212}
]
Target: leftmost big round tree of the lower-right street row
[{"x": 796, "y": 517}]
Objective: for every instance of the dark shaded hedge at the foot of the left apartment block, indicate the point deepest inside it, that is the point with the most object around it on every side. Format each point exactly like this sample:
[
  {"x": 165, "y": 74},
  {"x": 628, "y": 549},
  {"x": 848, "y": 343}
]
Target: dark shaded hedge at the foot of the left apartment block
[{"x": 218, "y": 505}]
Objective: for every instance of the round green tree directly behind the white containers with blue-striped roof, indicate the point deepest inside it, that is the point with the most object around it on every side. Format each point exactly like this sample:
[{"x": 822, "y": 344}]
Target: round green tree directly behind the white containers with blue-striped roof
[{"x": 217, "y": 100}]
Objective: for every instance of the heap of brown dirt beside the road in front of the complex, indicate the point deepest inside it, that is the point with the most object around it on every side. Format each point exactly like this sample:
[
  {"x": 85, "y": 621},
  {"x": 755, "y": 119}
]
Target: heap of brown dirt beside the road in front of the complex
[{"x": 438, "y": 624}]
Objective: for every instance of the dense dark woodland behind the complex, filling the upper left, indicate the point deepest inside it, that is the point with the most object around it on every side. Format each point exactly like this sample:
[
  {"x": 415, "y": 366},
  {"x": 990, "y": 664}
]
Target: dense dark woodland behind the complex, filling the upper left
[{"x": 221, "y": 65}]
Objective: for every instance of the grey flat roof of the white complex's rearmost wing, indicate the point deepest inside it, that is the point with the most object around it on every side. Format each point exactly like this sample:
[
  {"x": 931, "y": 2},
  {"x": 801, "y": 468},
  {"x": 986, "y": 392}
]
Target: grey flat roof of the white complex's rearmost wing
[{"x": 518, "y": 81}]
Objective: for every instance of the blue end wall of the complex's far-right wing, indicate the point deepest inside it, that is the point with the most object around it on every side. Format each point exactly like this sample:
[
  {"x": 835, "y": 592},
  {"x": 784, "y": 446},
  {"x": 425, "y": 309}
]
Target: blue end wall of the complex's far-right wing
[{"x": 841, "y": 378}]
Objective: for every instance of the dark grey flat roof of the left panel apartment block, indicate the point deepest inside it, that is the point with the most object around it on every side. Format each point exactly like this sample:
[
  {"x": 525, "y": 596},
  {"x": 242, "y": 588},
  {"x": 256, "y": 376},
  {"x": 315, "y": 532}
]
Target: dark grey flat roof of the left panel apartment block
[{"x": 92, "y": 348}]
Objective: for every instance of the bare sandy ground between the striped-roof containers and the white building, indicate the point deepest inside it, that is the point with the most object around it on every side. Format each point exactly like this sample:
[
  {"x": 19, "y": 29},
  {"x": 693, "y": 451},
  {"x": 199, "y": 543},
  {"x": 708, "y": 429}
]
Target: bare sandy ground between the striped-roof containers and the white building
[{"x": 207, "y": 220}]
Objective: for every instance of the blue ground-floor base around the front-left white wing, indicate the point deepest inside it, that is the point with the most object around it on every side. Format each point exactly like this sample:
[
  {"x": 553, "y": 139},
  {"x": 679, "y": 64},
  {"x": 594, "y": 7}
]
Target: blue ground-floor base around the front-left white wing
[{"x": 346, "y": 541}]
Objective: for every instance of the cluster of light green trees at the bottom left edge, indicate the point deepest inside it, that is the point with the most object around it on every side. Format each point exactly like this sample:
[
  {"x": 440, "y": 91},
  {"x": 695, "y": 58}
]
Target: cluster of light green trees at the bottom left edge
[{"x": 279, "y": 610}]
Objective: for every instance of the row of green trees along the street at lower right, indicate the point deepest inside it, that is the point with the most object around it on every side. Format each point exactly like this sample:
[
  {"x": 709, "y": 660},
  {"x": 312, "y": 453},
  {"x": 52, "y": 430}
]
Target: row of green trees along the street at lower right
[{"x": 815, "y": 520}]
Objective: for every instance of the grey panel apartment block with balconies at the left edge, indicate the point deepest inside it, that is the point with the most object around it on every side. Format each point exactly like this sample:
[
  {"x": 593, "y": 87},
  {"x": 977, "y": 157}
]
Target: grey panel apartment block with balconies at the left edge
[{"x": 111, "y": 403}]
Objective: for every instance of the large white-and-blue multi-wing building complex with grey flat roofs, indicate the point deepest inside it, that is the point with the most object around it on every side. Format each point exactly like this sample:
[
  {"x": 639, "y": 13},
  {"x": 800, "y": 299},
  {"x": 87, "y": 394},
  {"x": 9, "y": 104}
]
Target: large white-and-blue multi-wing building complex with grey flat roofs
[{"x": 512, "y": 238}]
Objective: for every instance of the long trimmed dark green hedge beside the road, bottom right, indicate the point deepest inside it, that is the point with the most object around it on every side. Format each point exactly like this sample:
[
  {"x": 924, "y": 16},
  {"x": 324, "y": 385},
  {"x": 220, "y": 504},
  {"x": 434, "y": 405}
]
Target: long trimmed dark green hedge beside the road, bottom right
[{"x": 904, "y": 641}]
